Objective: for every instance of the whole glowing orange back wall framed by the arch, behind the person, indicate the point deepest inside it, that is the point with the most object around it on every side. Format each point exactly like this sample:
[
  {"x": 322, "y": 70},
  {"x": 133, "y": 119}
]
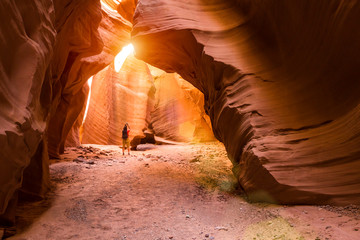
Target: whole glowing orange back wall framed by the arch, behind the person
[{"x": 162, "y": 105}]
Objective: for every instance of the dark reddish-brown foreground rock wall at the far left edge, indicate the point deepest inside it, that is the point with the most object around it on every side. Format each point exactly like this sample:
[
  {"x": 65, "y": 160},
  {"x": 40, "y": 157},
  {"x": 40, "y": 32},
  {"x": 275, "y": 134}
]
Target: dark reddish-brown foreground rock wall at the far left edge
[{"x": 27, "y": 34}]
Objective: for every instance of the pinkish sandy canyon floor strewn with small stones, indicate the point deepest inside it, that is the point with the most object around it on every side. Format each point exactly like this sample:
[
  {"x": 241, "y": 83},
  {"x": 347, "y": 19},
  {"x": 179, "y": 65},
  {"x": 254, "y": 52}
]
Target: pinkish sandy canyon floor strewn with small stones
[{"x": 166, "y": 192}]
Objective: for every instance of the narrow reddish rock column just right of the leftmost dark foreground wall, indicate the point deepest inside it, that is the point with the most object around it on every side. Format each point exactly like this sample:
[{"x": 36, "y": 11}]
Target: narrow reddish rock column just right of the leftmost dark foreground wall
[{"x": 78, "y": 40}]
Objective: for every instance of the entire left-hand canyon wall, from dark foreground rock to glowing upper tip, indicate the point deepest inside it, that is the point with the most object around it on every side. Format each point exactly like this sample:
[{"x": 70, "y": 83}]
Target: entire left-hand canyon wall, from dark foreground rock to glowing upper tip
[{"x": 48, "y": 51}]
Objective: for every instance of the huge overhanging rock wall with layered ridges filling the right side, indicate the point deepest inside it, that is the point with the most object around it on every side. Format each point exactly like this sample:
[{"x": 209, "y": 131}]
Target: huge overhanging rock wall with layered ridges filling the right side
[{"x": 280, "y": 84}]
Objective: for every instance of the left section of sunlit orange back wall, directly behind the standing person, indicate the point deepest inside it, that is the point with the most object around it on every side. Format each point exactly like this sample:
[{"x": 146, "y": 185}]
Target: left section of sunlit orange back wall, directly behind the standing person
[{"x": 117, "y": 98}]
